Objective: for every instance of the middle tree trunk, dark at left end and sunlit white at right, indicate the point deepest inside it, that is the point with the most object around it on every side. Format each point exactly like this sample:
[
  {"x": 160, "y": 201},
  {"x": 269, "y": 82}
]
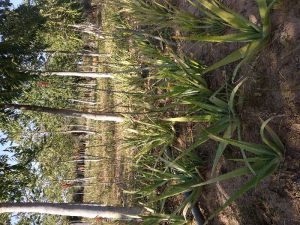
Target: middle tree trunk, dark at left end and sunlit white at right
[{"x": 66, "y": 112}]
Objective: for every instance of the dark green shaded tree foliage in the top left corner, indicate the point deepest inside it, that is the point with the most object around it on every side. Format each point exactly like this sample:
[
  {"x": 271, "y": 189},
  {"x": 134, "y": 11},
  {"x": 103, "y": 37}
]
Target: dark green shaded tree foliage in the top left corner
[{"x": 19, "y": 47}]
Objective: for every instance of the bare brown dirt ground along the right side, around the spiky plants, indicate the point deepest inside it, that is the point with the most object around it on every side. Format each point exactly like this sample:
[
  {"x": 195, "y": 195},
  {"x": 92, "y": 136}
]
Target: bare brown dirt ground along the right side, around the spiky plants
[{"x": 272, "y": 89}]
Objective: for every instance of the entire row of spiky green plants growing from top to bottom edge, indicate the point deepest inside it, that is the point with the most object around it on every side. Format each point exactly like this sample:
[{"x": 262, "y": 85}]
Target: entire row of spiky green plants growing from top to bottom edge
[{"x": 175, "y": 92}]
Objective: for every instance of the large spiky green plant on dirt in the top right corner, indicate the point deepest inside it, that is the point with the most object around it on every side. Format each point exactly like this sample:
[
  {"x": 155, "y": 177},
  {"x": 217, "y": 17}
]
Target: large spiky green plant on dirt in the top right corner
[{"x": 255, "y": 36}]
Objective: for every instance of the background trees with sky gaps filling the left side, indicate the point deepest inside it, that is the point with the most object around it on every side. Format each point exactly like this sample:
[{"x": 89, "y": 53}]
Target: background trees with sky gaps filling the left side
[{"x": 40, "y": 37}]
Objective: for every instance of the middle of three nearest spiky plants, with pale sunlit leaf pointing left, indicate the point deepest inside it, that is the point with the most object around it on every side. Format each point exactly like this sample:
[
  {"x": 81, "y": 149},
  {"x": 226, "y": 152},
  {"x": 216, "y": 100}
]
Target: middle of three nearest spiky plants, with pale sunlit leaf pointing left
[{"x": 220, "y": 116}]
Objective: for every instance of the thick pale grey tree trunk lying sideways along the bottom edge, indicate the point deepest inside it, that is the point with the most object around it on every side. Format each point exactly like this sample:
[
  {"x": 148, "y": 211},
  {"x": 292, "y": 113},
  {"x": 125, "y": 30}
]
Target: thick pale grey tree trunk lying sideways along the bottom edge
[{"x": 70, "y": 209}]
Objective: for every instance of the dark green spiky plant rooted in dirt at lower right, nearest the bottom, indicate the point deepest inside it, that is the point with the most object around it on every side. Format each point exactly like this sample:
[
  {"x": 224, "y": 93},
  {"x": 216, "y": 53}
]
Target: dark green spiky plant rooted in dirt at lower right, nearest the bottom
[{"x": 264, "y": 162}]
